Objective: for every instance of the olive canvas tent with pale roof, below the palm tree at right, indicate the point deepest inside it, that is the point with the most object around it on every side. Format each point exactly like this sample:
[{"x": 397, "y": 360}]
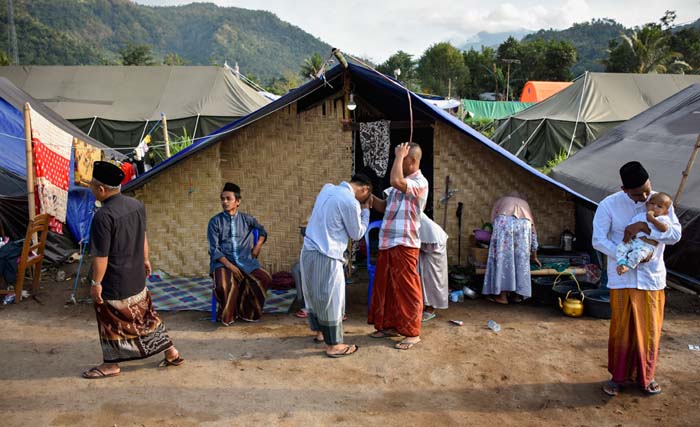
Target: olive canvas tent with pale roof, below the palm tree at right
[{"x": 581, "y": 113}]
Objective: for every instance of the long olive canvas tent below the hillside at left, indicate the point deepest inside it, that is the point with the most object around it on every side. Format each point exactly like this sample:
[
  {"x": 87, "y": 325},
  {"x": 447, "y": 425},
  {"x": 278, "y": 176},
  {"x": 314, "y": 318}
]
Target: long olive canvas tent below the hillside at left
[{"x": 118, "y": 104}]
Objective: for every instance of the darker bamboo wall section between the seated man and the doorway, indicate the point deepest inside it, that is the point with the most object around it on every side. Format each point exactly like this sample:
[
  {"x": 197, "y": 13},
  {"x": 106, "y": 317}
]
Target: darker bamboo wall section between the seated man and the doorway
[{"x": 281, "y": 163}]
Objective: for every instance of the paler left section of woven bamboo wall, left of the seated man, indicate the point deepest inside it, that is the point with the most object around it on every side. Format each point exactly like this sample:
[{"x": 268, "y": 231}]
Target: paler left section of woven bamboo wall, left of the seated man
[{"x": 179, "y": 203}]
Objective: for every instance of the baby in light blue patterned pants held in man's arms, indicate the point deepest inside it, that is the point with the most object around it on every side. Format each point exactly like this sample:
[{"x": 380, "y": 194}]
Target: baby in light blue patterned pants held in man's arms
[{"x": 639, "y": 249}]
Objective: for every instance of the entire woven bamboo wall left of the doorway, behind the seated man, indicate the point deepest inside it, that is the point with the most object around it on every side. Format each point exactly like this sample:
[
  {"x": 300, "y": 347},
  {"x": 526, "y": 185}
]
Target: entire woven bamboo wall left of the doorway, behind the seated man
[{"x": 280, "y": 162}]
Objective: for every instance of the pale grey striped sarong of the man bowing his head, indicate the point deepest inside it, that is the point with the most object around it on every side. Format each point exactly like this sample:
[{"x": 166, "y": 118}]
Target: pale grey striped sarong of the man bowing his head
[{"x": 323, "y": 281}]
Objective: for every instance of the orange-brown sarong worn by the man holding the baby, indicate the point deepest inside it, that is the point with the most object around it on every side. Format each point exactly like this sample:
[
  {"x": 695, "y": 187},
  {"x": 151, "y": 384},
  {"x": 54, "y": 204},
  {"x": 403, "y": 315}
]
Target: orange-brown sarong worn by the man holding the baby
[{"x": 635, "y": 333}]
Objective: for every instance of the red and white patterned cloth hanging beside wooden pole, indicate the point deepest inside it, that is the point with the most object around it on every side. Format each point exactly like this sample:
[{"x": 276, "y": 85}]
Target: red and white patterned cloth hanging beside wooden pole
[{"x": 52, "y": 148}]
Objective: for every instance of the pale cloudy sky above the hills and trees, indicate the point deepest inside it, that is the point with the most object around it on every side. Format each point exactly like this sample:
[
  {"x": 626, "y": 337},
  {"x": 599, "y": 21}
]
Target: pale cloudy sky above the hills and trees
[{"x": 377, "y": 28}]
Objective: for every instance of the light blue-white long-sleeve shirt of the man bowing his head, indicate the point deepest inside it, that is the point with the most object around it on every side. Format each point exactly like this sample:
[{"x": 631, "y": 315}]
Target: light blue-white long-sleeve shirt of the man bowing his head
[{"x": 336, "y": 217}]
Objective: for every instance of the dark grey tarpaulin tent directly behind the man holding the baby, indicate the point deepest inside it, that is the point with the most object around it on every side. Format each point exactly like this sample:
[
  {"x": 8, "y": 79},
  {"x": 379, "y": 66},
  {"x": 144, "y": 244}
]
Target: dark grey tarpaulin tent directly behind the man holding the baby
[{"x": 662, "y": 139}]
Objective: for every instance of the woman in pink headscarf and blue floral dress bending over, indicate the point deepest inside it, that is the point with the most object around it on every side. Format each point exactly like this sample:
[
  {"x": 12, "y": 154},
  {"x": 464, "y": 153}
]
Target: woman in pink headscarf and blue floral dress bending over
[{"x": 513, "y": 246}]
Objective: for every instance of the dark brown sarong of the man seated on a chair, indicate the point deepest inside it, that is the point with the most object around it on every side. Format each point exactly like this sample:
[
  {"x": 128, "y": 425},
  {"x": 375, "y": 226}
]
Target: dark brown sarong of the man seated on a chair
[{"x": 240, "y": 300}]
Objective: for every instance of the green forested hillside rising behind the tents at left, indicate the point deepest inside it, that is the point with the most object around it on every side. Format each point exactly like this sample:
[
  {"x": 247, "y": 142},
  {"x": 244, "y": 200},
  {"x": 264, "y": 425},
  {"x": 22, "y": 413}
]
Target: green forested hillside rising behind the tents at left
[{"x": 81, "y": 32}]
